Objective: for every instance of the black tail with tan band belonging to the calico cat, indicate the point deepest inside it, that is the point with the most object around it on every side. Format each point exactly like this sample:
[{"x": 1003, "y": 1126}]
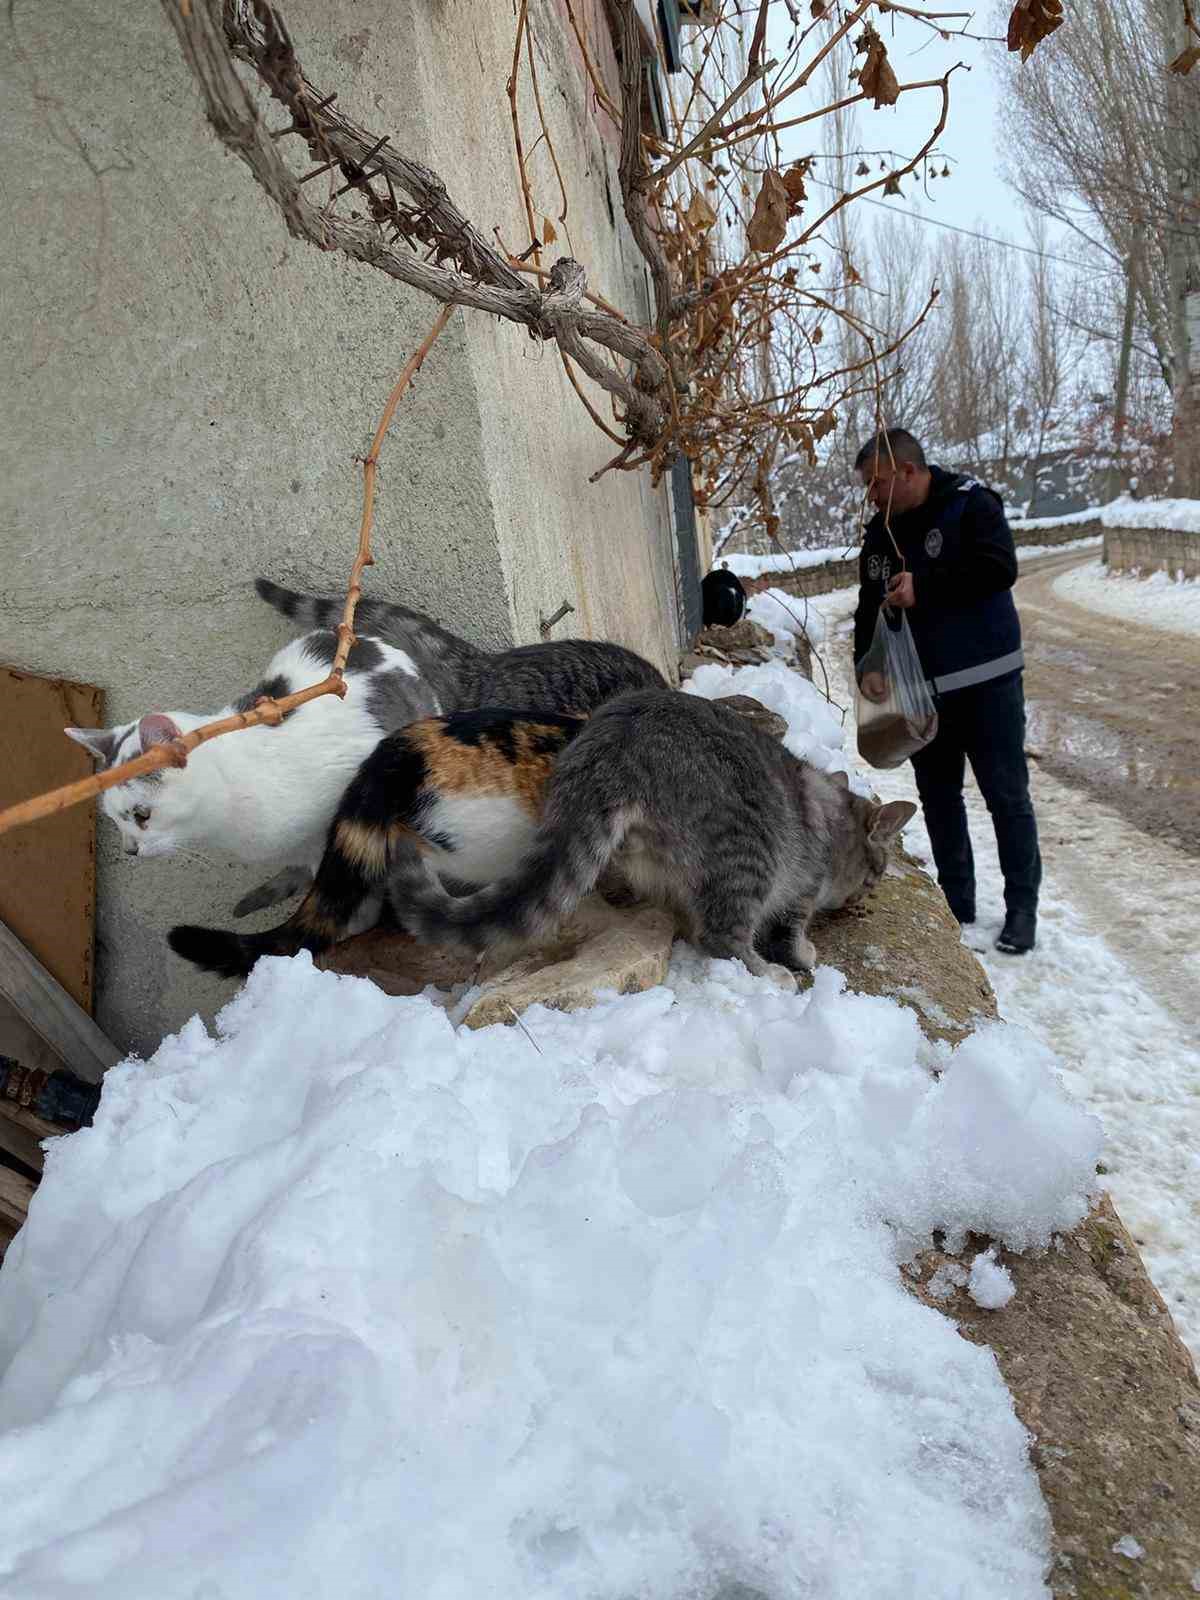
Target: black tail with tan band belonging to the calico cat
[{"x": 367, "y": 836}]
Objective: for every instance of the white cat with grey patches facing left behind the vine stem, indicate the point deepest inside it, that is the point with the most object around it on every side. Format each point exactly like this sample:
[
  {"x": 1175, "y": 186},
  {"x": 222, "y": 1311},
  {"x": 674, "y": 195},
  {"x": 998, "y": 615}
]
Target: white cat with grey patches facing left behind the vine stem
[{"x": 263, "y": 794}]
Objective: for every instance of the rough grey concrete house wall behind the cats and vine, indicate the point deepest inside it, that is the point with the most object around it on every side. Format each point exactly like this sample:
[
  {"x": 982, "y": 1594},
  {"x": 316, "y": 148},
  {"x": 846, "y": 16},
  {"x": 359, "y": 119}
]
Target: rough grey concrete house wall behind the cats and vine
[{"x": 188, "y": 391}]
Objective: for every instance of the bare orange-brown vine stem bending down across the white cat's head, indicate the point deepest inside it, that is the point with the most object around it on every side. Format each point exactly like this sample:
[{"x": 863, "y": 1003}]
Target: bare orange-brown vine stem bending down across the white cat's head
[{"x": 268, "y": 711}]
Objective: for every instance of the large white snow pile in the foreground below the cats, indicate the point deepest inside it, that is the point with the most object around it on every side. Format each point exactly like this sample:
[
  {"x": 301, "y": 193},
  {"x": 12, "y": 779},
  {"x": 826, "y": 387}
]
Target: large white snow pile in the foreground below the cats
[{"x": 345, "y": 1303}]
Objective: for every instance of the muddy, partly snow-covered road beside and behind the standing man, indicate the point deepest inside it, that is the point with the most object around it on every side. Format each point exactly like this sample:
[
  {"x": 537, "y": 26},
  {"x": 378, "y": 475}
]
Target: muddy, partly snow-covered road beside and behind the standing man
[{"x": 1114, "y": 980}]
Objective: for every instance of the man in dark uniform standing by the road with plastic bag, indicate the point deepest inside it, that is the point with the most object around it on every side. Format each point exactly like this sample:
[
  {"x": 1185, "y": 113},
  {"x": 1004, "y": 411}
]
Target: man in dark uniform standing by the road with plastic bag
[{"x": 940, "y": 550}]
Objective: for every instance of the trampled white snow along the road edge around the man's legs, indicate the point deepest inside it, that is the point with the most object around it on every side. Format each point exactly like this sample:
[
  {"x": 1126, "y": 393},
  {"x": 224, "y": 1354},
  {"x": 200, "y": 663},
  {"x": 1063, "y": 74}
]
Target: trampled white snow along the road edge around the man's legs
[{"x": 1110, "y": 897}]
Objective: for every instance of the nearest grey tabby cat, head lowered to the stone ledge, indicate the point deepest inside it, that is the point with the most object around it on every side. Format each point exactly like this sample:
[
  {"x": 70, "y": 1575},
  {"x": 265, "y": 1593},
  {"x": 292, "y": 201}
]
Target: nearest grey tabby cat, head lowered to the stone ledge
[{"x": 698, "y": 812}]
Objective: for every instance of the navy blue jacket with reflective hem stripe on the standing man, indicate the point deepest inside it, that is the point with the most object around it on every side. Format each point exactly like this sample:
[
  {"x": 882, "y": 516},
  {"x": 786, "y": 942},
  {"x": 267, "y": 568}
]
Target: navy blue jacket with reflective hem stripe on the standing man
[{"x": 961, "y": 554}]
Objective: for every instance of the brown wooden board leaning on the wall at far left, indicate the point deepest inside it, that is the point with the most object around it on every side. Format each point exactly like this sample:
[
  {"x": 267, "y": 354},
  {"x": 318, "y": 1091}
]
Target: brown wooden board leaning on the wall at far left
[{"x": 49, "y": 868}]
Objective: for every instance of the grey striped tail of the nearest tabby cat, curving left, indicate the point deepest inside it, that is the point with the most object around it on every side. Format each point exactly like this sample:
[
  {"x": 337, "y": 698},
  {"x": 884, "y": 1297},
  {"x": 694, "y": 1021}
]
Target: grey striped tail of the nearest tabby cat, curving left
[{"x": 562, "y": 865}]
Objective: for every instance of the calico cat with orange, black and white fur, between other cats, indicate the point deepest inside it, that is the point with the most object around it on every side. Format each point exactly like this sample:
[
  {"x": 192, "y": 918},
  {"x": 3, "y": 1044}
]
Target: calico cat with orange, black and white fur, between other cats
[{"x": 463, "y": 791}]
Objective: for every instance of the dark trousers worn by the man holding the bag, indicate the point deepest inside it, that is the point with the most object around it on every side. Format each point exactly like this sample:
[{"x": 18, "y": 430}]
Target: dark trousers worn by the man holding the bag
[{"x": 986, "y": 727}]
